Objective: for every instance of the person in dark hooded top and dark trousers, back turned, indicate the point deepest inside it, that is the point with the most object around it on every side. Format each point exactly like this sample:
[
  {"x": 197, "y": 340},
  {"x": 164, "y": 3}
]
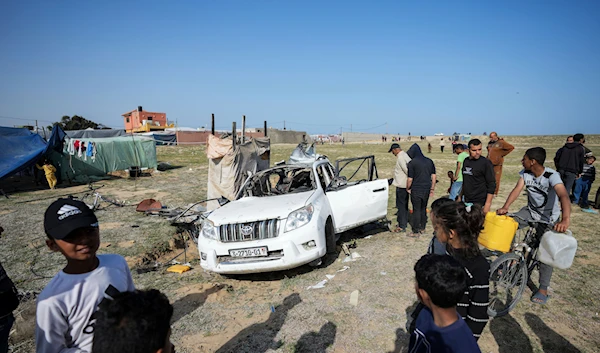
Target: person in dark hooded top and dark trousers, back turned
[{"x": 420, "y": 185}]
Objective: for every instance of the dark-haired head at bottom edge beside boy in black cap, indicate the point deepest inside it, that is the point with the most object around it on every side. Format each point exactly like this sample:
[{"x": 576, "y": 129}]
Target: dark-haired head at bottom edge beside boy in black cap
[{"x": 138, "y": 322}]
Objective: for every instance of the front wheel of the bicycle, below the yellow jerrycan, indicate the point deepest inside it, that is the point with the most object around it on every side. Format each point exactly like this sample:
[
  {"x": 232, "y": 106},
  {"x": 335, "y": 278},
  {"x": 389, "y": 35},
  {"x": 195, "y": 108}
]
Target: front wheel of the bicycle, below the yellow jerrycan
[{"x": 508, "y": 279}]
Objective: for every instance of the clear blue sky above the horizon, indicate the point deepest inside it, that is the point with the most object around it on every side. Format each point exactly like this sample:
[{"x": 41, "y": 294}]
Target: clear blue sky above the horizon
[{"x": 517, "y": 67}]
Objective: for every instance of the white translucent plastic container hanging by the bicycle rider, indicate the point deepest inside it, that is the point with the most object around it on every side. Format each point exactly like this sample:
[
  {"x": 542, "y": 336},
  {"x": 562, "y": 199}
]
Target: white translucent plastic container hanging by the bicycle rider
[{"x": 557, "y": 249}]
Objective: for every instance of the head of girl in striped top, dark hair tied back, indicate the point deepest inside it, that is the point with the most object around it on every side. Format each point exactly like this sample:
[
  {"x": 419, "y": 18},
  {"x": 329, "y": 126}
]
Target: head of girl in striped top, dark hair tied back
[{"x": 458, "y": 225}]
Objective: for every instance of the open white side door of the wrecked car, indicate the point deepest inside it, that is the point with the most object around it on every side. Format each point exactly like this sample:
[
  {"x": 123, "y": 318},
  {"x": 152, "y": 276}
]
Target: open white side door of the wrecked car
[{"x": 358, "y": 203}]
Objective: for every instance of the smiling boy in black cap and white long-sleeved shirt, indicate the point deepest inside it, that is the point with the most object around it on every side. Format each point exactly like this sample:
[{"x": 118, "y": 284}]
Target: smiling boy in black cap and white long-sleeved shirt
[{"x": 66, "y": 306}]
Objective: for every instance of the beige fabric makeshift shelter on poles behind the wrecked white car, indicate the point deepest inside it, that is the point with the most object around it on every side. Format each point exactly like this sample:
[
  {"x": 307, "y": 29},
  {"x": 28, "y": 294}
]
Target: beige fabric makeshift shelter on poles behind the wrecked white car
[{"x": 228, "y": 167}]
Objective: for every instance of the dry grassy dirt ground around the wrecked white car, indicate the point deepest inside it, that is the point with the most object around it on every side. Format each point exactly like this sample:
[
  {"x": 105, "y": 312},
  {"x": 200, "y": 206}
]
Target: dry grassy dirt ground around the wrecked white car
[{"x": 275, "y": 312}]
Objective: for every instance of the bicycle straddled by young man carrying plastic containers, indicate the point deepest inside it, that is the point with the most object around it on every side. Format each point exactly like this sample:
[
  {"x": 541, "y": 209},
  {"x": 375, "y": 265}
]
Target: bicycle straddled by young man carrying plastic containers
[{"x": 510, "y": 272}]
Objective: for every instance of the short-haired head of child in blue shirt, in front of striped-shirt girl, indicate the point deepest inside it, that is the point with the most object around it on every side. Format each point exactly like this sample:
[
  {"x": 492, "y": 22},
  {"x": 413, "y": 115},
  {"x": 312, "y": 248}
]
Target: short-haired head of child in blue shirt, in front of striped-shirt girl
[{"x": 440, "y": 280}]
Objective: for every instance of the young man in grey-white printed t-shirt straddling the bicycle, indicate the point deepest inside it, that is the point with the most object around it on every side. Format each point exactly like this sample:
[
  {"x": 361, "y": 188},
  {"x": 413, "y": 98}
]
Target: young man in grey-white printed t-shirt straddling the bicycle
[{"x": 544, "y": 190}]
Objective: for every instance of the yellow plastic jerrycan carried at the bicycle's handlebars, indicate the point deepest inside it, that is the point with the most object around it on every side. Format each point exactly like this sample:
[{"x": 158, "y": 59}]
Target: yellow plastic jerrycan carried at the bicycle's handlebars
[{"x": 498, "y": 232}]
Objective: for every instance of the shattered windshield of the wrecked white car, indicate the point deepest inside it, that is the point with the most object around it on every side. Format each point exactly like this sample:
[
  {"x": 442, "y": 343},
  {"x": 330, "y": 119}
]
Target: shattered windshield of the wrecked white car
[{"x": 280, "y": 181}]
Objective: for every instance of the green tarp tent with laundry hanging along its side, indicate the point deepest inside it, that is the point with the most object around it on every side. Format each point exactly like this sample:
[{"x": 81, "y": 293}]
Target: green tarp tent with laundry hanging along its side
[{"x": 109, "y": 154}]
